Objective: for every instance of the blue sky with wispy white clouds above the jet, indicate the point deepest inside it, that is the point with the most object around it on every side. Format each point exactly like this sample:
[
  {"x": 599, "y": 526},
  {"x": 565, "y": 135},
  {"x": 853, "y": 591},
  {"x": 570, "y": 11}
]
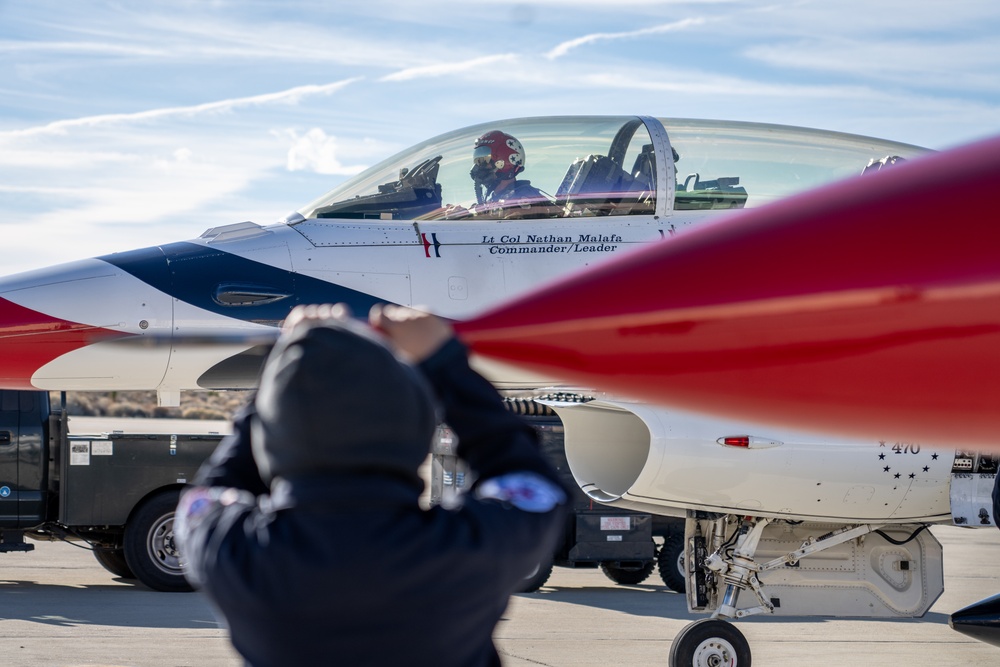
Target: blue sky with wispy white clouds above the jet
[{"x": 126, "y": 125}]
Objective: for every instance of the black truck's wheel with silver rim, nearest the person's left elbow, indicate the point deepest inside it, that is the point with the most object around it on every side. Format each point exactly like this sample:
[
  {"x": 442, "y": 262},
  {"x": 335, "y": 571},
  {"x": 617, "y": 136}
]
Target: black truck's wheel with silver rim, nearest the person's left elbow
[{"x": 149, "y": 544}]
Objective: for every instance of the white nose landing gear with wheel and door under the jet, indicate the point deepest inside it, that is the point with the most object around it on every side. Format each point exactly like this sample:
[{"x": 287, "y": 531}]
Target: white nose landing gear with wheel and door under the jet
[{"x": 726, "y": 558}]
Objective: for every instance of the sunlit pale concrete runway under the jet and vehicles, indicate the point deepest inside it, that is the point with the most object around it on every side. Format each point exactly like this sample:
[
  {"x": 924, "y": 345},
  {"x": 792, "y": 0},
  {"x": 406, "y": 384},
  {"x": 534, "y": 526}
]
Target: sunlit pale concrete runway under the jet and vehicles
[{"x": 59, "y": 607}]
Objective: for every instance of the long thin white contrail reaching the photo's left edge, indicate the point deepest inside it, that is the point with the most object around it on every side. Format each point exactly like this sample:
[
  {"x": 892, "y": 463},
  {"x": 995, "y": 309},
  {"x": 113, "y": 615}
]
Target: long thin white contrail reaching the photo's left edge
[{"x": 289, "y": 96}]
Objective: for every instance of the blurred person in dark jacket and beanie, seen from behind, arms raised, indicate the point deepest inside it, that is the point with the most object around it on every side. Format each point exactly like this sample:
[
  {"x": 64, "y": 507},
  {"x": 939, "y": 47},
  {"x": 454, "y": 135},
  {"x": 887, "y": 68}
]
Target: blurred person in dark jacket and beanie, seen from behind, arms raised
[{"x": 304, "y": 527}]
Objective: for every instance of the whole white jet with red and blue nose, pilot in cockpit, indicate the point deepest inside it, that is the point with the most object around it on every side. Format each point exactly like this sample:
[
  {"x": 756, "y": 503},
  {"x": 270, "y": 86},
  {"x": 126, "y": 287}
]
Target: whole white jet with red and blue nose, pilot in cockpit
[{"x": 804, "y": 524}]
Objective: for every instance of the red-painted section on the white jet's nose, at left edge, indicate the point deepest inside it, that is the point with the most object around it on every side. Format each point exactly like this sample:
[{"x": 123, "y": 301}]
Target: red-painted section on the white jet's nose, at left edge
[{"x": 29, "y": 339}]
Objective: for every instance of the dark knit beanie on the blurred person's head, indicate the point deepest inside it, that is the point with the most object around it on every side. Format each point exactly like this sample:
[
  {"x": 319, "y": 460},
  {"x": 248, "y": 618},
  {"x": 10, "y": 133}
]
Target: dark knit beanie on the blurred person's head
[{"x": 334, "y": 398}]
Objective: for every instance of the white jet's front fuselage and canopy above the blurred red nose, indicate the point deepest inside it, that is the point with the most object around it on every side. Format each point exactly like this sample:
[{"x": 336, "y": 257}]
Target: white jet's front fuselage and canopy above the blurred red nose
[{"x": 445, "y": 224}]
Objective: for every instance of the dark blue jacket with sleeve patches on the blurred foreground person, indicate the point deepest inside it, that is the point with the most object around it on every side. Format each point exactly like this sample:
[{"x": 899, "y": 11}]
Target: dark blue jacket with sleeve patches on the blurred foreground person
[{"x": 348, "y": 569}]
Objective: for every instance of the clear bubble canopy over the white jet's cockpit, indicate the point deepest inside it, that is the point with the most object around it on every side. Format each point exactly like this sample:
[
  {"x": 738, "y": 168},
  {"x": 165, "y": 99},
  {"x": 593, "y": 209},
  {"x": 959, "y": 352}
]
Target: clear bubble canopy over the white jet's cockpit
[{"x": 601, "y": 165}]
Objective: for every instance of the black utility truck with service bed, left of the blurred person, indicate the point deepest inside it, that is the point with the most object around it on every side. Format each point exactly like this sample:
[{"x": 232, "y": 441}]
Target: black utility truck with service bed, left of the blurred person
[{"x": 113, "y": 493}]
